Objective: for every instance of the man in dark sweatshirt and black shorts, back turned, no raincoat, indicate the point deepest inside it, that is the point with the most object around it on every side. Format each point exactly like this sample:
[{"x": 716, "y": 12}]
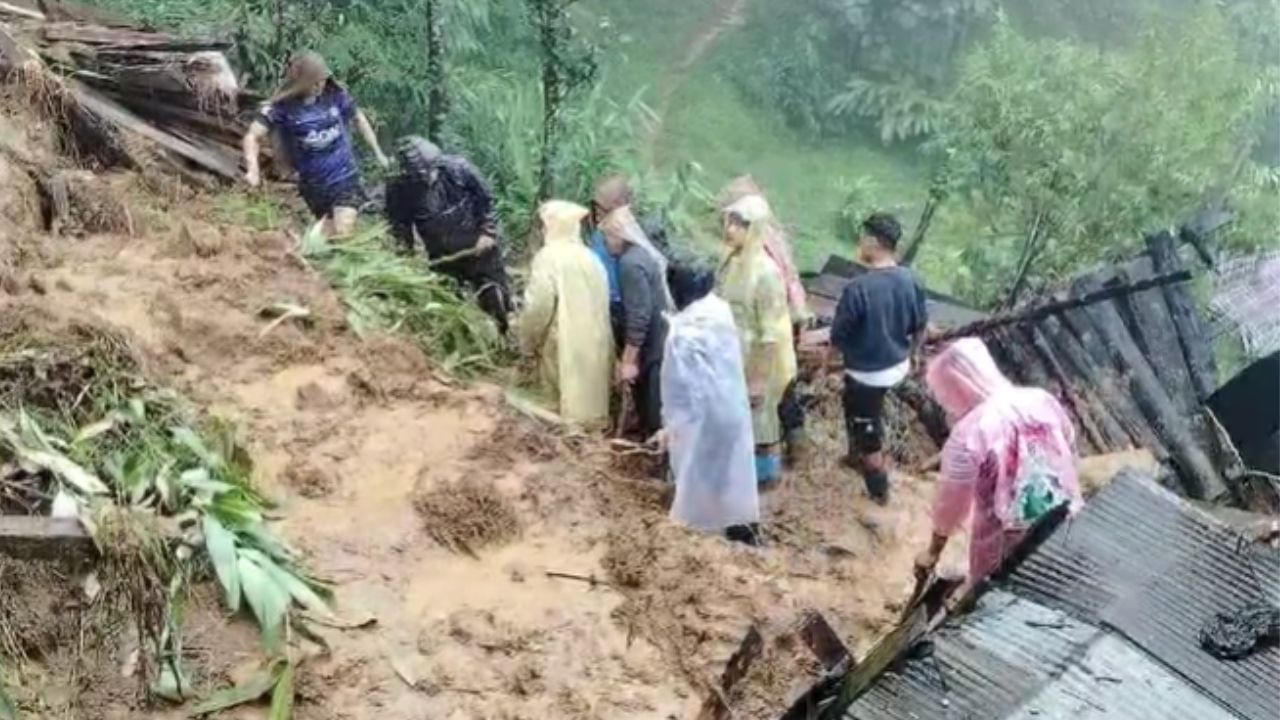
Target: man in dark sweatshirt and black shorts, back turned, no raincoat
[{"x": 880, "y": 325}]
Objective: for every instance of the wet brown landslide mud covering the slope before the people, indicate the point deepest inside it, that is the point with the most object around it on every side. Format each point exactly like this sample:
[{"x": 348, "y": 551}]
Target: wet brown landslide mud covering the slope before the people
[{"x": 348, "y": 434}]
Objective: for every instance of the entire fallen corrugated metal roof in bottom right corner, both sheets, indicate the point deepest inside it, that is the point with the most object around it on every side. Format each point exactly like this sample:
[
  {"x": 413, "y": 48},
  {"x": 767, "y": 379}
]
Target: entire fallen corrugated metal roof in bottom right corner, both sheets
[{"x": 1100, "y": 622}]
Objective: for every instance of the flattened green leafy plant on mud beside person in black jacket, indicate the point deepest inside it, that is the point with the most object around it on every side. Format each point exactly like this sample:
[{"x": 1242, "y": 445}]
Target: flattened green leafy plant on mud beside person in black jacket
[{"x": 390, "y": 293}]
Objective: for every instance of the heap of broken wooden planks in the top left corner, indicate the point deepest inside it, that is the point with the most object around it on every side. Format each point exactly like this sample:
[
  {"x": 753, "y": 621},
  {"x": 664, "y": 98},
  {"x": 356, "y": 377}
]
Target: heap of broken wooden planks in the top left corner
[{"x": 117, "y": 88}]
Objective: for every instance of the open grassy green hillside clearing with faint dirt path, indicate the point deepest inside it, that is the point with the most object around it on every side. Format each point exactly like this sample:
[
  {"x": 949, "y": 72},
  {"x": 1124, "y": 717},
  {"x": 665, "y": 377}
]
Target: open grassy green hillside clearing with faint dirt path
[{"x": 710, "y": 122}]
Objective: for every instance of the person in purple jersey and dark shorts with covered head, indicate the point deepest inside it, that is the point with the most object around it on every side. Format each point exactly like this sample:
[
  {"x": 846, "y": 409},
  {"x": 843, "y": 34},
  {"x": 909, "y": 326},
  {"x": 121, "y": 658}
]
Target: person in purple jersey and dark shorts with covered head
[{"x": 314, "y": 116}]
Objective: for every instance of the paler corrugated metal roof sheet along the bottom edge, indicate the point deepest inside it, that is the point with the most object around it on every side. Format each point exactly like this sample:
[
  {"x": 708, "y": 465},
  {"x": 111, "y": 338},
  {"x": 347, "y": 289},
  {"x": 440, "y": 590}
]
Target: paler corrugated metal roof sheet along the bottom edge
[{"x": 1014, "y": 658}]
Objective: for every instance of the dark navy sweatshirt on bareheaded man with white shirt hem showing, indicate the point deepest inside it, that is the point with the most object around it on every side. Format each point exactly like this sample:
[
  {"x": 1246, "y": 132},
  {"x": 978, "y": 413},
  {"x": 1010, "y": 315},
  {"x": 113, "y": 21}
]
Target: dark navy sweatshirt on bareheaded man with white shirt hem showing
[{"x": 880, "y": 315}]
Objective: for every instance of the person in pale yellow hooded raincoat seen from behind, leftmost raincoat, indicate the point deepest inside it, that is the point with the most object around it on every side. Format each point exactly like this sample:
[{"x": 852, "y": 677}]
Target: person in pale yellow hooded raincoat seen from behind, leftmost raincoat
[{"x": 566, "y": 318}]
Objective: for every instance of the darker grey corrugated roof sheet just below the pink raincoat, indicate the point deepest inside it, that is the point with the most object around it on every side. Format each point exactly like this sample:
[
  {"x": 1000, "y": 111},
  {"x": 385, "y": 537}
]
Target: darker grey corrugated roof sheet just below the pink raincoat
[{"x": 1155, "y": 569}]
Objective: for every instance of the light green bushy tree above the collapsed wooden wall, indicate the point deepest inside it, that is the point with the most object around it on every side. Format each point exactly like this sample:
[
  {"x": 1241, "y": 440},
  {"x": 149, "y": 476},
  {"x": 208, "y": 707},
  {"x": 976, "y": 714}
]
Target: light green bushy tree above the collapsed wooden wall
[{"x": 1067, "y": 156}]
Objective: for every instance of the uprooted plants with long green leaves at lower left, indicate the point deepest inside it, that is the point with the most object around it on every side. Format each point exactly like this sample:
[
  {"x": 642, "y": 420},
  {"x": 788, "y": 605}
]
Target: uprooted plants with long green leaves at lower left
[{"x": 167, "y": 498}]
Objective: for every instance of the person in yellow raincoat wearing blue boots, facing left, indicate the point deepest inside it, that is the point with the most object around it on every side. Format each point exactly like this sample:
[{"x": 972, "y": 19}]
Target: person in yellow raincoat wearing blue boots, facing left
[{"x": 753, "y": 286}]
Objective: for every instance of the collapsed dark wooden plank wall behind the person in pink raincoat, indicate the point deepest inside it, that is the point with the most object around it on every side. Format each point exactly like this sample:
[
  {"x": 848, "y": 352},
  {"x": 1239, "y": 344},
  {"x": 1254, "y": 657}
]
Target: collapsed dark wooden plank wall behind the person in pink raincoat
[{"x": 1131, "y": 359}]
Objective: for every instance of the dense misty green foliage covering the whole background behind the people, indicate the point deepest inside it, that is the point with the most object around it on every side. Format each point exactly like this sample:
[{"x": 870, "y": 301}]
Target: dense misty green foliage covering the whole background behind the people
[{"x": 1059, "y": 131}]
